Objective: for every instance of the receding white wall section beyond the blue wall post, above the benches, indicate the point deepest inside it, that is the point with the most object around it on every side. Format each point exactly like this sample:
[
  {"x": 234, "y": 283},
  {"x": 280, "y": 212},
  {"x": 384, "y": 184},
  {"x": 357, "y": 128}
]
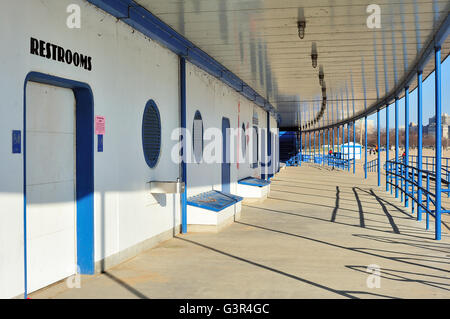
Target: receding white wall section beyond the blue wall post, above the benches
[{"x": 216, "y": 100}]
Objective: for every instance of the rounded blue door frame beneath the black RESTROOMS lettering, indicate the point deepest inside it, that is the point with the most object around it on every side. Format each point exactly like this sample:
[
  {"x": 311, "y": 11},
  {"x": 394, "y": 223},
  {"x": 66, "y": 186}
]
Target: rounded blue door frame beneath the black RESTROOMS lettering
[{"x": 84, "y": 168}]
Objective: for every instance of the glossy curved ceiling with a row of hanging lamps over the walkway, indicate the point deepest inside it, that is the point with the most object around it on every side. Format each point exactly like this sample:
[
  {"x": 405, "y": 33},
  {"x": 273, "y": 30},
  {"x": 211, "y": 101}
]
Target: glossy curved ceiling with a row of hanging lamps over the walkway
[{"x": 258, "y": 41}]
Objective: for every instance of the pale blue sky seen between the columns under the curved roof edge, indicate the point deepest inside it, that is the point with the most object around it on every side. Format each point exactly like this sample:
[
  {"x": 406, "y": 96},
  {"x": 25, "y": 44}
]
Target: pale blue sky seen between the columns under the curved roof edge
[{"x": 428, "y": 101}]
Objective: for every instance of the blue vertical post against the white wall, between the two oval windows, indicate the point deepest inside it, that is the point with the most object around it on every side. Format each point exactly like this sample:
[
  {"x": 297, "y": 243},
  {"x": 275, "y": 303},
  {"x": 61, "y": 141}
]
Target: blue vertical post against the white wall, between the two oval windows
[{"x": 184, "y": 146}]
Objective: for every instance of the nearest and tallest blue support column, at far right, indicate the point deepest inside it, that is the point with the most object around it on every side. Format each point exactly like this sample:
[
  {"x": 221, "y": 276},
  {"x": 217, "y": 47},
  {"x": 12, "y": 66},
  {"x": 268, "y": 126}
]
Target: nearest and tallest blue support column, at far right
[{"x": 438, "y": 148}]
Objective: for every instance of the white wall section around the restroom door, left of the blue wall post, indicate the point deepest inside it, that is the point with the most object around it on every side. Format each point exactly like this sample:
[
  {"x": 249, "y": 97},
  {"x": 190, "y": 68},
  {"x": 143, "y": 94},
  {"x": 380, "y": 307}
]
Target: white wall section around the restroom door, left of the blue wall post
[{"x": 128, "y": 70}]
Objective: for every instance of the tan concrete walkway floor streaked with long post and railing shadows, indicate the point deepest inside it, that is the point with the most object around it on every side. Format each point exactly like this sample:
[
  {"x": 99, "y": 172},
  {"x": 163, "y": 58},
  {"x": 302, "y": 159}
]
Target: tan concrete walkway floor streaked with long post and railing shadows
[{"x": 312, "y": 238}]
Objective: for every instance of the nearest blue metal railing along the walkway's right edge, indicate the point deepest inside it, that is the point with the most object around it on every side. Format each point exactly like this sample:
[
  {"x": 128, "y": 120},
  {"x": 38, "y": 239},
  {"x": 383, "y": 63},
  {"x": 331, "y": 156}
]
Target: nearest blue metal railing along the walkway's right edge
[{"x": 416, "y": 184}]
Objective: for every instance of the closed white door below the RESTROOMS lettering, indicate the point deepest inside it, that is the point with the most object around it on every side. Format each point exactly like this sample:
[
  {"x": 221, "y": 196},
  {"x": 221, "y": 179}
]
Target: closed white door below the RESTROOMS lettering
[{"x": 50, "y": 184}]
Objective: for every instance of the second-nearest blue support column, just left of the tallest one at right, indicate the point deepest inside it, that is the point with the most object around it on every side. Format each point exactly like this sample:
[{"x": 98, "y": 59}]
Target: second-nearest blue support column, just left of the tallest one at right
[{"x": 419, "y": 143}]
